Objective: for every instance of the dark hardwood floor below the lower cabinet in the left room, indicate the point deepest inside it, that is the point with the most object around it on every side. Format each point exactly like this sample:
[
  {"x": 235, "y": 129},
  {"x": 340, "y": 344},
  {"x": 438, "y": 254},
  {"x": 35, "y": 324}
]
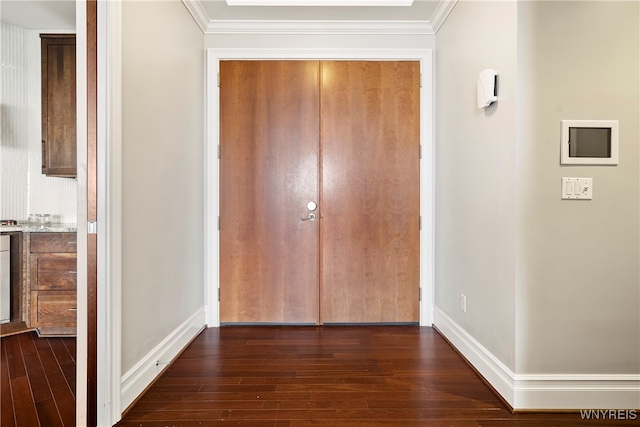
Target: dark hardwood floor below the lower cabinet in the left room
[{"x": 37, "y": 381}]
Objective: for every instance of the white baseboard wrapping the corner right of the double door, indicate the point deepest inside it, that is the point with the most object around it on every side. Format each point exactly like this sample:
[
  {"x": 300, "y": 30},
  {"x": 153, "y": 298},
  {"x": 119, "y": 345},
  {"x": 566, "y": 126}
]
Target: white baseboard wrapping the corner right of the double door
[{"x": 545, "y": 392}]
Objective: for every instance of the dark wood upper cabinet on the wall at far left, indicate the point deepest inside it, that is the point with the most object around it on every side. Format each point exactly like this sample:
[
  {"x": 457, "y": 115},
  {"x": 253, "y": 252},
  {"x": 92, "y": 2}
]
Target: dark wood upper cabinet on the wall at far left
[{"x": 58, "y": 104}]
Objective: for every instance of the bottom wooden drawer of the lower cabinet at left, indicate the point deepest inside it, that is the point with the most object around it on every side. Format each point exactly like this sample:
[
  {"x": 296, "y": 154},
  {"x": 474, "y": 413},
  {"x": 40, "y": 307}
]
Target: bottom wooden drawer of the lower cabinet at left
[{"x": 54, "y": 308}]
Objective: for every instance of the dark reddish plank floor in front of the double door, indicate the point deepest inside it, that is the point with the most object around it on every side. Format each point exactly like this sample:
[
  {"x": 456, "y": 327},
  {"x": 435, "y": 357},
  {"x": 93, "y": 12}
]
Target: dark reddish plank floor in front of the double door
[{"x": 337, "y": 376}]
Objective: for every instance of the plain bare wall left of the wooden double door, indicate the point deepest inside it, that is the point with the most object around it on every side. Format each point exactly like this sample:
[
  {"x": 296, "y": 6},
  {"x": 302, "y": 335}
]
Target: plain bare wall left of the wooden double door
[{"x": 162, "y": 177}]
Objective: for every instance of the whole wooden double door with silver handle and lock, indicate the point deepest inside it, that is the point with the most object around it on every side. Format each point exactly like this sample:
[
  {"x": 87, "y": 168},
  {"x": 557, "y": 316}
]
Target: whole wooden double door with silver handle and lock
[{"x": 345, "y": 136}]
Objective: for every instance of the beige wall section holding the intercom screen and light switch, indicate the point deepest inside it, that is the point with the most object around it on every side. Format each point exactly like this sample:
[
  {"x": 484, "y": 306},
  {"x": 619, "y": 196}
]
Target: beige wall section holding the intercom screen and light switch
[{"x": 578, "y": 285}]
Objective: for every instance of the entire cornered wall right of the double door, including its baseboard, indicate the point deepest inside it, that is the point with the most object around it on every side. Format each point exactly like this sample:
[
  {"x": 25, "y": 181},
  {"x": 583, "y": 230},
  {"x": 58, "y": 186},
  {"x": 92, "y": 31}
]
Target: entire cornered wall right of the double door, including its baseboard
[{"x": 552, "y": 286}]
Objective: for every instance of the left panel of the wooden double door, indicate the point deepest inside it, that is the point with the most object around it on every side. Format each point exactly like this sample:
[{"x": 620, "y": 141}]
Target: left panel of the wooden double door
[{"x": 269, "y": 124}]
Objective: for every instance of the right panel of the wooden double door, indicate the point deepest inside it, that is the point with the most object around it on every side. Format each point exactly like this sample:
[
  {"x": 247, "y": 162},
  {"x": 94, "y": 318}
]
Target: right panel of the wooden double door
[{"x": 370, "y": 192}]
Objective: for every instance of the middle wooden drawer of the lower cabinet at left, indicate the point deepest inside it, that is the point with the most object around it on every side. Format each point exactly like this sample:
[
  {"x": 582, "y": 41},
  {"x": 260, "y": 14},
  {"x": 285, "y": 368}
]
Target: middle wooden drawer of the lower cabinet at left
[{"x": 53, "y": 272}]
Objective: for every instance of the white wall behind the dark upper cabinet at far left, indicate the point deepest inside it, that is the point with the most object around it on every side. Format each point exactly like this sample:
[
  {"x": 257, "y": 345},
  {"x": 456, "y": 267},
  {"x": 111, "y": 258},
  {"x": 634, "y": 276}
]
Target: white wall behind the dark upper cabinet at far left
[{"x": 24, "y": 189}]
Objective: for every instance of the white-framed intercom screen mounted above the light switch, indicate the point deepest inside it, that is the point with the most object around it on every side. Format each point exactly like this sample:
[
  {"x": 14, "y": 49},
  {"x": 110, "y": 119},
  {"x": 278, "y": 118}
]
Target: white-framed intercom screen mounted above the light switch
[{"x": 589, "y": 142}]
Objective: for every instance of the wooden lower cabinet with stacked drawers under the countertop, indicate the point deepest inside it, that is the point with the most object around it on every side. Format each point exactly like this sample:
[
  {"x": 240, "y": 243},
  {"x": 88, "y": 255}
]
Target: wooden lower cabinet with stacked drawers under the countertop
[{"x": 53, "y": 283}]
